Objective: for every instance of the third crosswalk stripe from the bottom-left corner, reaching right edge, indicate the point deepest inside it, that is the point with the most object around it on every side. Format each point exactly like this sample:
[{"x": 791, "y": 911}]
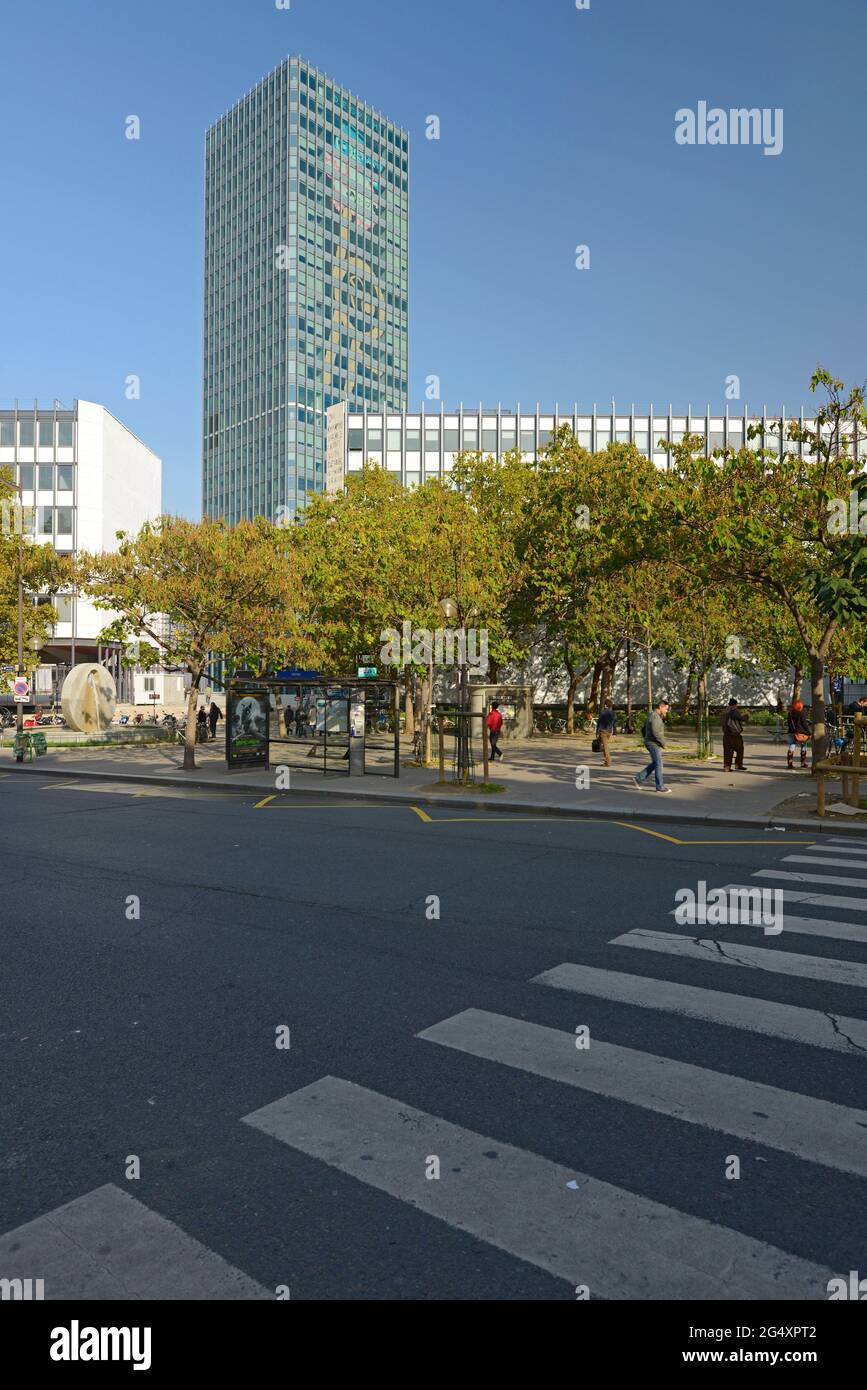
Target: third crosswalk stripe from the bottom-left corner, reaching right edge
[{"x": 811, "y": 1129}]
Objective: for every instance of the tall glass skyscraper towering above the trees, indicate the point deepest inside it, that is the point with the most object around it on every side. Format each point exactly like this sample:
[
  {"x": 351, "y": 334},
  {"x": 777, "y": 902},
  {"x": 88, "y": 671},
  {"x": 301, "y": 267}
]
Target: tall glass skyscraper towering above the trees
[{"x": 306, "y": 286}]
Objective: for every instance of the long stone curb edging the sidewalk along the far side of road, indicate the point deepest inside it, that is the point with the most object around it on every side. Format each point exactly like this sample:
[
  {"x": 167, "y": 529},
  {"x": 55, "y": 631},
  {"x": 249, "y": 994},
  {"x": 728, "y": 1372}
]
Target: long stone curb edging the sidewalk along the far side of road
[{"x": 643, "y": 812}]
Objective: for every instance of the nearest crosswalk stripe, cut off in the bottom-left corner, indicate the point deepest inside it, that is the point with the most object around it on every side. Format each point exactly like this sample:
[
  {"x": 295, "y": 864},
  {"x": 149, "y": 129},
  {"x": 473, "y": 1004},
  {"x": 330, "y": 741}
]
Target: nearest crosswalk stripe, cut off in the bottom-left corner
[{"x": 109, "y": 1246}]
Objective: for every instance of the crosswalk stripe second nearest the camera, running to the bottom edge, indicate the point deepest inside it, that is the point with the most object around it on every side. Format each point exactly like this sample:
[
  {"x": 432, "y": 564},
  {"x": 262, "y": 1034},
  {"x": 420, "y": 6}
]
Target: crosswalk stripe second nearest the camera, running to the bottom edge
[{"x": 620, "y": 1245}]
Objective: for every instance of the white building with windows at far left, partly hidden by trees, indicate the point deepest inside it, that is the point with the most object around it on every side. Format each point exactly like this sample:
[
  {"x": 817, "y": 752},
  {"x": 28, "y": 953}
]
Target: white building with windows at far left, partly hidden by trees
[{"x": 84, "y": 477}]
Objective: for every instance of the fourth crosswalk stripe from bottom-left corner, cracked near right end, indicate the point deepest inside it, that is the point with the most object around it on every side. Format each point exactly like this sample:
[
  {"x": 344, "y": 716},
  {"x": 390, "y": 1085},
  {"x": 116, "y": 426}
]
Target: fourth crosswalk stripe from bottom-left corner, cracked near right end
[{"x": 780, "y": 1021}]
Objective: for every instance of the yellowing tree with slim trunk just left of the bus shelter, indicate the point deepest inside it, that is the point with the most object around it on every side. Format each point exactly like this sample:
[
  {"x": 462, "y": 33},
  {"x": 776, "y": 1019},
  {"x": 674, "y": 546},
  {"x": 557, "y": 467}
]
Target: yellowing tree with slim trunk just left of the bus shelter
[{"x": 187, "y": 590}]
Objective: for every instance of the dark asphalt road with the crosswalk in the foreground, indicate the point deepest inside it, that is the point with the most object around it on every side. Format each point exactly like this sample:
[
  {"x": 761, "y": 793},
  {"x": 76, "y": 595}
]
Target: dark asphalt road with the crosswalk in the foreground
[{"x": 154, "y": 1038}]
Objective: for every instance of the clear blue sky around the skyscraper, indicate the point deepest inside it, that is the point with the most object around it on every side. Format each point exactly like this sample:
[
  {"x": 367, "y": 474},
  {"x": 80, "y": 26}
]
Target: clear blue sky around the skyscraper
[{"x": 558, "y": 130}]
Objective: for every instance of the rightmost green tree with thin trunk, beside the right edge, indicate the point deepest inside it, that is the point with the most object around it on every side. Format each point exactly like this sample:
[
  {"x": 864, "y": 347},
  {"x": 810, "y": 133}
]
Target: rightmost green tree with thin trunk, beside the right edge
[{"x": 766, "y": 518}]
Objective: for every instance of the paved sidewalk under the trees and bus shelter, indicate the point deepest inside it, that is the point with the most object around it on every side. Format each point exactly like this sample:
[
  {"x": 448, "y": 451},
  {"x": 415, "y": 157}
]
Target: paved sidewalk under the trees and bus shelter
[{"x": 537, "y": 775}]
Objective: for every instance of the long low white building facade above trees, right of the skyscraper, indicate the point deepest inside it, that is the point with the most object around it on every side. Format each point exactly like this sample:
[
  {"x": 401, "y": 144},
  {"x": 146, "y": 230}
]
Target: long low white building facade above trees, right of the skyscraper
[{"x": 420, "y": 445}]
